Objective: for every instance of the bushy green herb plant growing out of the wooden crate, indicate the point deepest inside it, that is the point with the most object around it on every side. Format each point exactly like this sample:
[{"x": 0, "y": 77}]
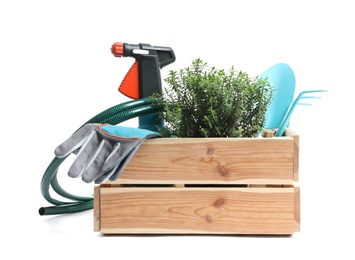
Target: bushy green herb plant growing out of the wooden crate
[{"x": 202, "y": 101}]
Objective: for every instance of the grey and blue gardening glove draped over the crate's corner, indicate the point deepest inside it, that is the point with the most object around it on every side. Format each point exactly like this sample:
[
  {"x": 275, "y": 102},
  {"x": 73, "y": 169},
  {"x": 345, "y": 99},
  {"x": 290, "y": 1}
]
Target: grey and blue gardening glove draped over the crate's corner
[{"x": 102, "y": 150}]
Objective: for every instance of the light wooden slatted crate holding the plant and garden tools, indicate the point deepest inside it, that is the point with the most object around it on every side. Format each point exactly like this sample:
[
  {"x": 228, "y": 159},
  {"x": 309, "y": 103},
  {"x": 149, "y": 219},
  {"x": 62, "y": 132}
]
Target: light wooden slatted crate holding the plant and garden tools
[{"x": 205, "y": 186}]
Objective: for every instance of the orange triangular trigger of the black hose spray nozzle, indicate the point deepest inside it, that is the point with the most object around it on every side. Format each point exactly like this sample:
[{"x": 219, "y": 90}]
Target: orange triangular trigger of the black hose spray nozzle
[{"x": 130, "y": 84}]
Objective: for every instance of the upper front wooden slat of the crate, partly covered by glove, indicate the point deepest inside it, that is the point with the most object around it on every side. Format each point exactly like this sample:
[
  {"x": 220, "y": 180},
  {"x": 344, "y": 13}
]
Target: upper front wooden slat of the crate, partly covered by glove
[{"x": 212, "y": 160}]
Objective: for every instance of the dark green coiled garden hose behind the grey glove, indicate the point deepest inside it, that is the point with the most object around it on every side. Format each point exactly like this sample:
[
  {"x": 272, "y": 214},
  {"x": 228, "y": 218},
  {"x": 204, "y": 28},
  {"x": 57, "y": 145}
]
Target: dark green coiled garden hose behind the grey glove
[{"x": 113, "y": 115}]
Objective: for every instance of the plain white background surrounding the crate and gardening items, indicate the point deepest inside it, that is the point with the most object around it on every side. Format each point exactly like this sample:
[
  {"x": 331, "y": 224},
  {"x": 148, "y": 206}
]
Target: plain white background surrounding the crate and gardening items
[{"x": 56, "y": 72}]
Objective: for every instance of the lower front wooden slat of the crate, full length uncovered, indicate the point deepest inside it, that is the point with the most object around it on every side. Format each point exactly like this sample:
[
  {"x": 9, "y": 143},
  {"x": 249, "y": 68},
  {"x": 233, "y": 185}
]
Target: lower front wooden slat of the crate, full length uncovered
[{"x": 197, "y": 210}]
